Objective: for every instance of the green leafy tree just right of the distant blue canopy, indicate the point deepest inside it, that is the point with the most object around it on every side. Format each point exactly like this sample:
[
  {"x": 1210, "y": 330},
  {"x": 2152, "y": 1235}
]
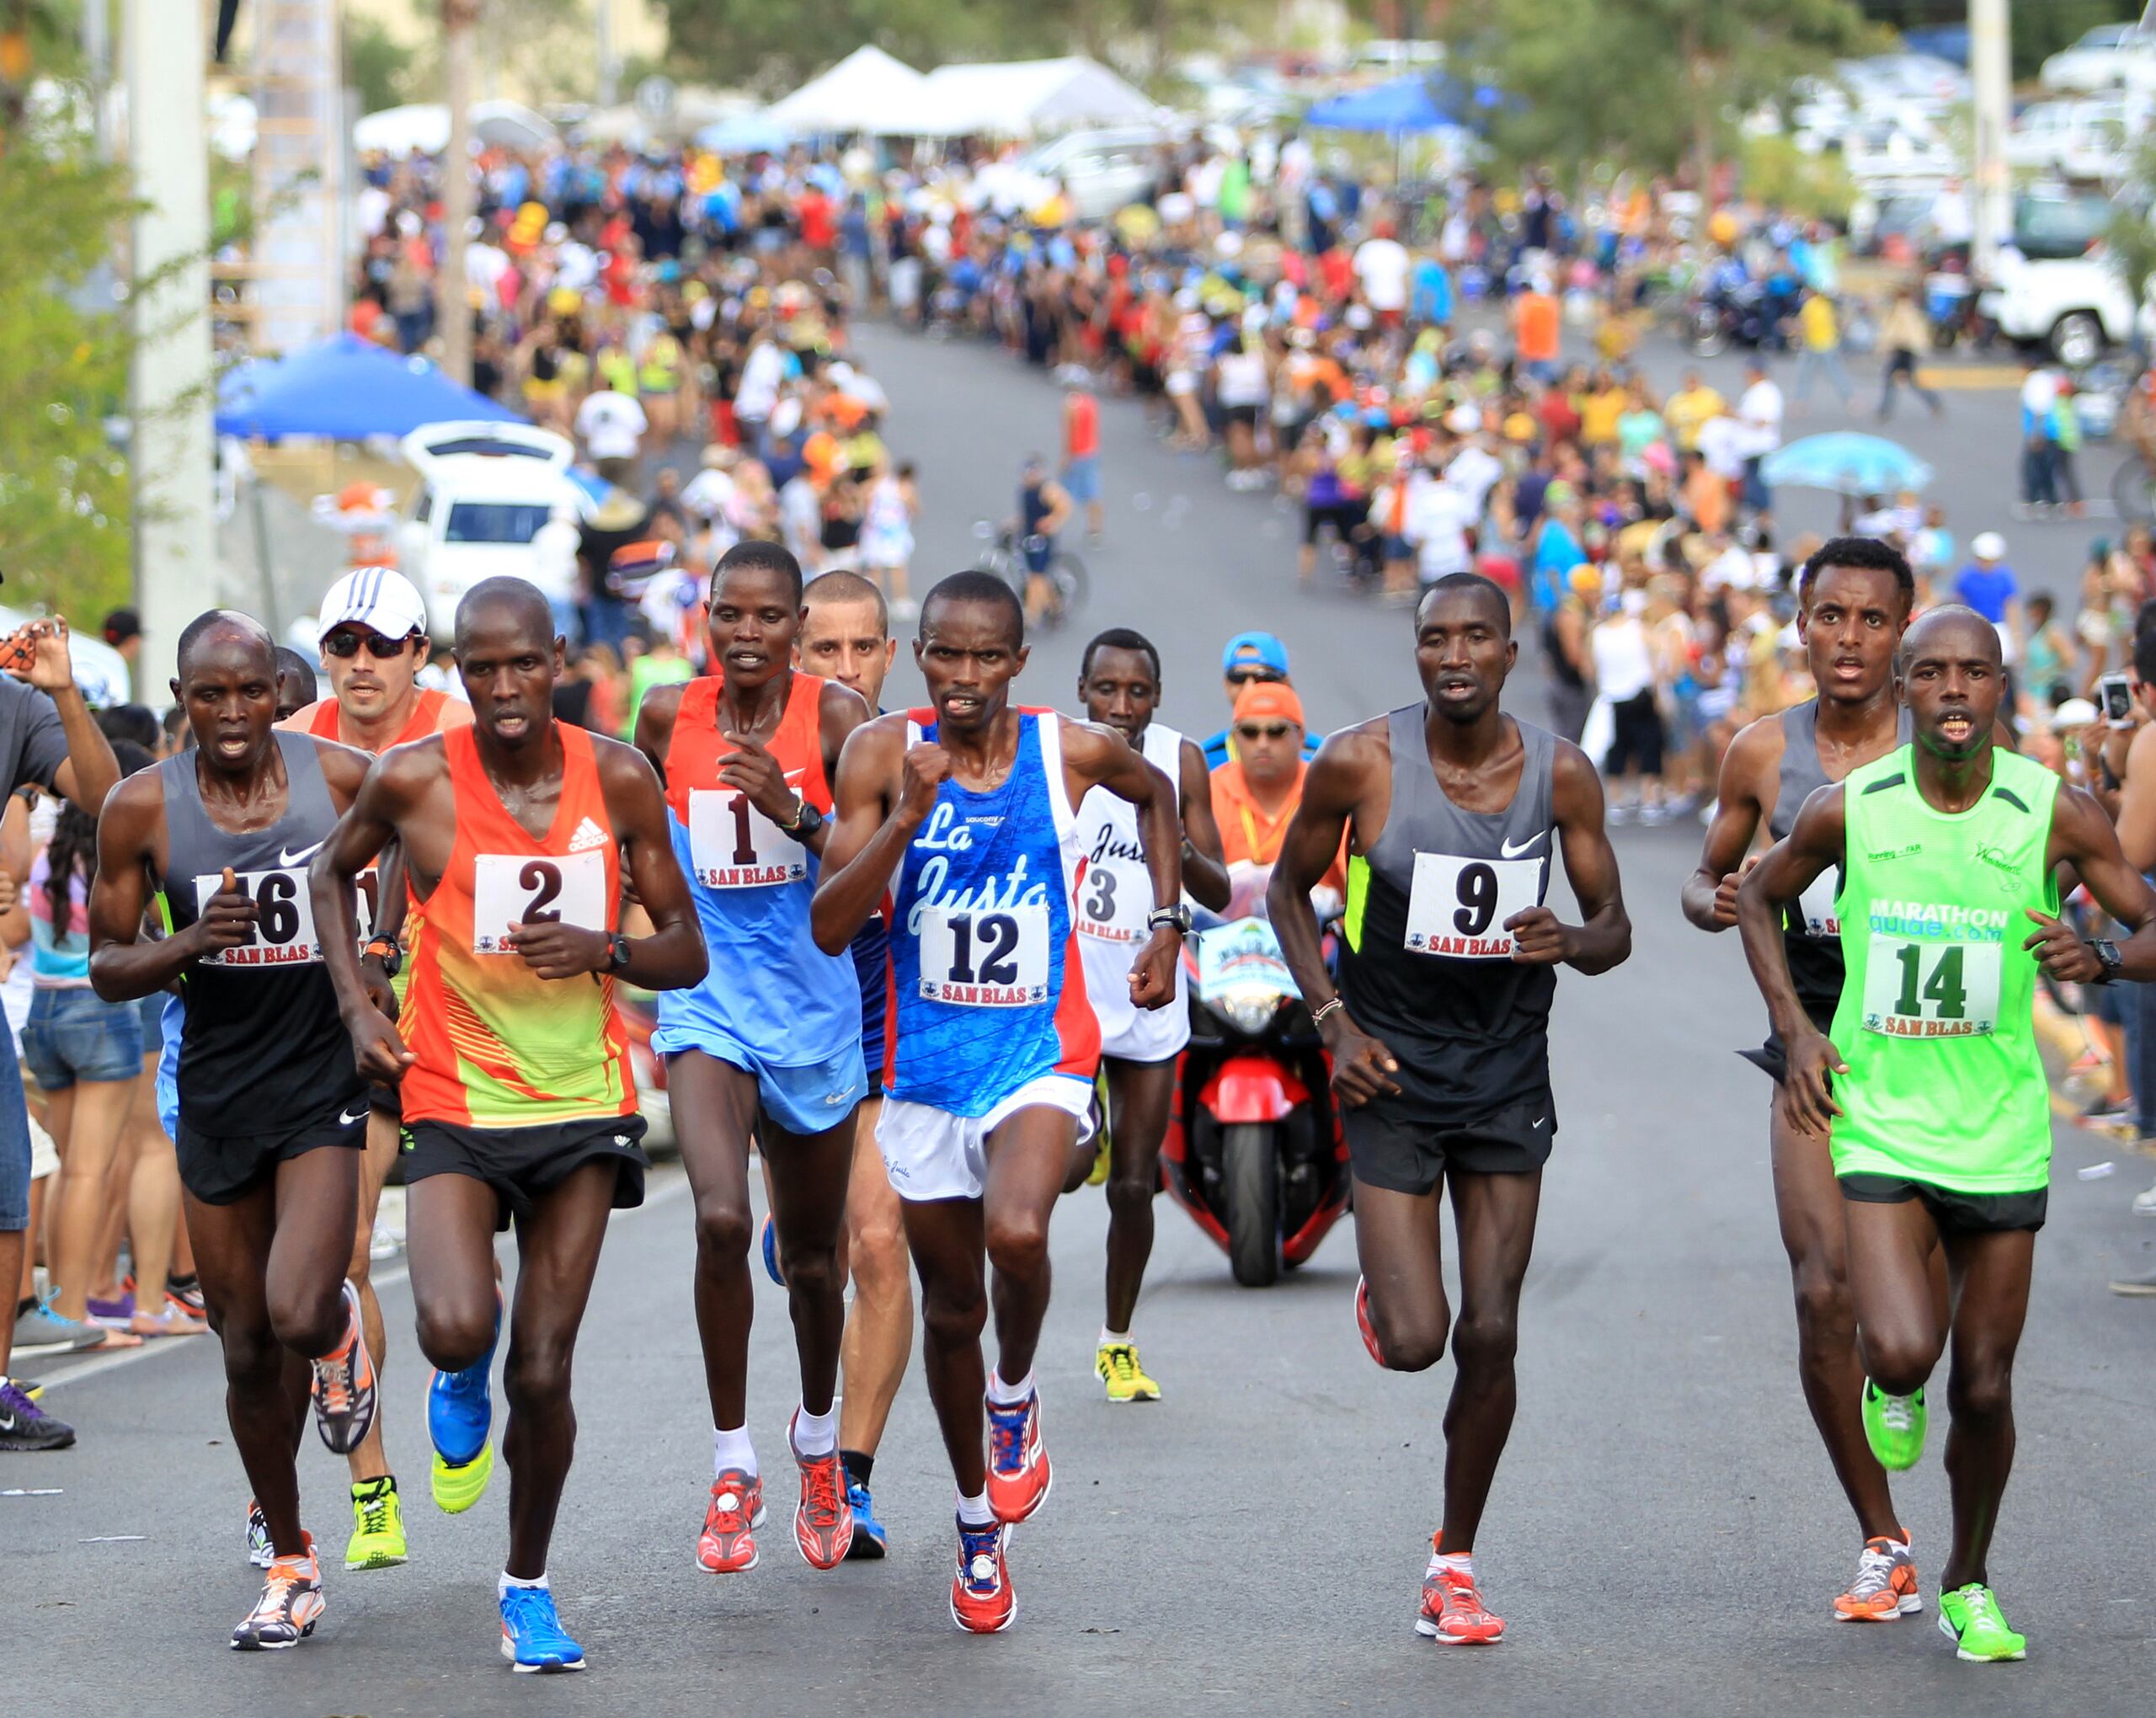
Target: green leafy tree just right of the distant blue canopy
[{"x": 1646, "y": 83}]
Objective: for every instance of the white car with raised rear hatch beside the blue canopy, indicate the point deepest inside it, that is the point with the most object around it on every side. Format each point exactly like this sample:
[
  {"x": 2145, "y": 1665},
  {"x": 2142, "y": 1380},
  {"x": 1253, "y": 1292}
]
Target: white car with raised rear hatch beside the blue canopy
[{"x": 484, "y": 493}]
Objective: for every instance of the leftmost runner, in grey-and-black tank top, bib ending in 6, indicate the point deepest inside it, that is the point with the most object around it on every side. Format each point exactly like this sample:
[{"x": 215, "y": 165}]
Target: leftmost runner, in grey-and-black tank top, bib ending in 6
[{"x": 273, "y": 1113}]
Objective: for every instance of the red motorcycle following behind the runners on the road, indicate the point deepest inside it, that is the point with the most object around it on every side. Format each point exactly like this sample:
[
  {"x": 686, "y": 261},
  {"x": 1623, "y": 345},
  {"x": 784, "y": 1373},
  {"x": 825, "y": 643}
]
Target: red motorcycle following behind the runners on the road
[{"x": 1254, "y": 1148}]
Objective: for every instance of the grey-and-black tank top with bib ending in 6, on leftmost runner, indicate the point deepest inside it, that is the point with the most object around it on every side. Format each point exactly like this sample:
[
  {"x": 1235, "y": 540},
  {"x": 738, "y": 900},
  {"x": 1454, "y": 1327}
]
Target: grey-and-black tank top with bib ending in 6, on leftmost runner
[{"x": 264, "y": 1049}]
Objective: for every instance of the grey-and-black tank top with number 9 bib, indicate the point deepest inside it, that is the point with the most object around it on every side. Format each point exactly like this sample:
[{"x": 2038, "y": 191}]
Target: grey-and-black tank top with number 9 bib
[{"x": 1428, "y": 962}]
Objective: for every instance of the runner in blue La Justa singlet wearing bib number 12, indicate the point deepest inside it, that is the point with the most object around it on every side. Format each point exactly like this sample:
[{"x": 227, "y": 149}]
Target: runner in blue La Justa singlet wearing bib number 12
[{"x": 967, "y": 816}]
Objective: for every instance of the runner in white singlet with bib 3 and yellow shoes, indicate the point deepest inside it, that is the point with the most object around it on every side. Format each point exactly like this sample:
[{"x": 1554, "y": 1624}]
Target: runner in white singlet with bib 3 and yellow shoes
[{"x": 1120, "y": 689}]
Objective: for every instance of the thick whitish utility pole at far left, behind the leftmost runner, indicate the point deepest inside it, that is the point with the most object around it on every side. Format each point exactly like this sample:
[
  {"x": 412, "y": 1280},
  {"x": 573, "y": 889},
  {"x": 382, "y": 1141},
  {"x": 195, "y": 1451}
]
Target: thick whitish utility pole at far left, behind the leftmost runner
[{"x": 176, "y": 551}]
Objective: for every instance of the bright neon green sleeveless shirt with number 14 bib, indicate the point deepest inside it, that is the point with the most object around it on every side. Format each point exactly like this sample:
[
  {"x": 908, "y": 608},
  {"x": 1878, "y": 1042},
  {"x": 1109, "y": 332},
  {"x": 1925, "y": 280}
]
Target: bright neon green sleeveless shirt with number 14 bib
[{"x": 1935, "y": 1025}]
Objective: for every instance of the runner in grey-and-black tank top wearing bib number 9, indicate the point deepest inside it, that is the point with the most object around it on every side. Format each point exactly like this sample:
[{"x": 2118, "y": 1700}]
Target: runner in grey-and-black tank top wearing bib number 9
[{"x": 1441, "y": 1025}]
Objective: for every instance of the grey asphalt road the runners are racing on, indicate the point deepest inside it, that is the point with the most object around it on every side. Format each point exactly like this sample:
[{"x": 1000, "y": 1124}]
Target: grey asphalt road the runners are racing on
[{"x": 1663, "y": 1538}]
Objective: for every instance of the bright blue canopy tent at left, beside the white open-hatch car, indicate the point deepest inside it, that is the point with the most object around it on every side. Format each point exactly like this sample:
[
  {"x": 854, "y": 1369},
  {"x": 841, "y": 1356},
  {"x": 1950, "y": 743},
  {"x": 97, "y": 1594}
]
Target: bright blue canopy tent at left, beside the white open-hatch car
[{"x": 346, "y": 391}]
